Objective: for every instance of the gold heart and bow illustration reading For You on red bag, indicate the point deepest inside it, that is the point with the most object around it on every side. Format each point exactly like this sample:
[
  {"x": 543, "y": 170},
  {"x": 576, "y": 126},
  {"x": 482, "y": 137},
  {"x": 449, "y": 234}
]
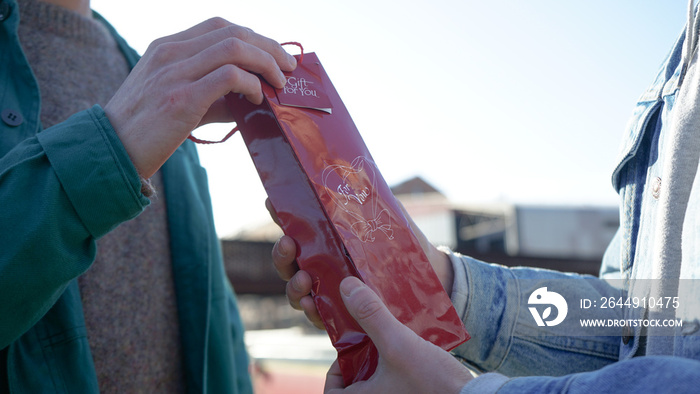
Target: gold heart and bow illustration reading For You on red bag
[{"x": 351, "y": 187}]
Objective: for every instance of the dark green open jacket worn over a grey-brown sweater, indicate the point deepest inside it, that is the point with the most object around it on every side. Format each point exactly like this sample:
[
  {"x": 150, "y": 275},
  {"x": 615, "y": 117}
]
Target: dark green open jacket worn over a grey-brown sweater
[{"x": 61, "y": 189}]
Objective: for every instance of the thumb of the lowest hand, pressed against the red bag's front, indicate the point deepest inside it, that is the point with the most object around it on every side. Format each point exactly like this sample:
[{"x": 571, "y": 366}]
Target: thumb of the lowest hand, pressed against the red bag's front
[{"x": 372, "y": 315}]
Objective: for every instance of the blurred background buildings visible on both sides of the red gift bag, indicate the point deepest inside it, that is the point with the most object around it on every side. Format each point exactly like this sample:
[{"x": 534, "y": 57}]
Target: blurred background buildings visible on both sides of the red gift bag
[{"x": 565, "y": 238}]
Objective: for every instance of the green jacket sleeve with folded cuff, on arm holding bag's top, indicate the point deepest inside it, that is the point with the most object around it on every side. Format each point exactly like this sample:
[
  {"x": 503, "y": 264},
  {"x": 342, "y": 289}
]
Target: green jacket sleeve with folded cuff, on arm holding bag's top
[{"x": 59, "y": 192}]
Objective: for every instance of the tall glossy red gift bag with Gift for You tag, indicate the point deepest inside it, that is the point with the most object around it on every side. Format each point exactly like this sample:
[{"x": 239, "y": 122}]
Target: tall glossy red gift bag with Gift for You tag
[{"x": 331, "y": 198}]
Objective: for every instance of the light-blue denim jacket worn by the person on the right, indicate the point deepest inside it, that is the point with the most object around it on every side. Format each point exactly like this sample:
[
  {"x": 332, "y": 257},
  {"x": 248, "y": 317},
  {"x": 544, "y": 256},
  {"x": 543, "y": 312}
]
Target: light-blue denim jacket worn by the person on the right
[{"x": 656, "y": 248}]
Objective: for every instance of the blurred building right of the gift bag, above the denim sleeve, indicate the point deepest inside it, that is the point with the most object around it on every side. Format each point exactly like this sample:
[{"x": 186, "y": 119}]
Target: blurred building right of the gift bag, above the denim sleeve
[{"x": 564, "y": 238}]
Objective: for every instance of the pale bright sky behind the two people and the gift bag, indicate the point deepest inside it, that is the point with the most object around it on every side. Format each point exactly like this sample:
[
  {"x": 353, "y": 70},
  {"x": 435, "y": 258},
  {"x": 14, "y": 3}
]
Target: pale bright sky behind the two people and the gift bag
[{"x": 511, "y": 101}]
